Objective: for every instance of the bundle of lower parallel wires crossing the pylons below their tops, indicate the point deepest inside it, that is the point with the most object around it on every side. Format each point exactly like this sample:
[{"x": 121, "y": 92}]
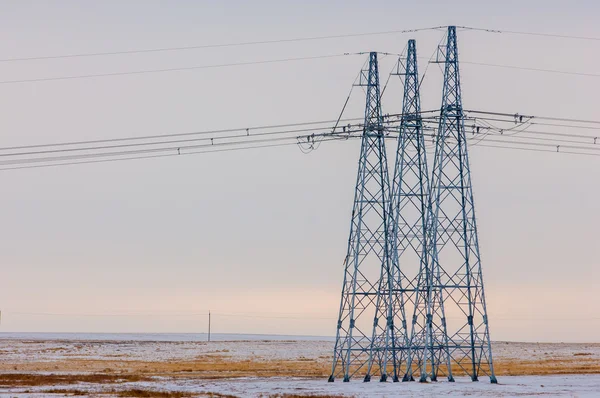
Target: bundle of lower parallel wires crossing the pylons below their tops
[{"x": 58, "y": 154}]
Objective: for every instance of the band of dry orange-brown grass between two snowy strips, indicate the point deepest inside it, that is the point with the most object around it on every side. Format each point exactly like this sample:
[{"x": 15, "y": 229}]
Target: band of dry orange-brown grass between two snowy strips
[{"x": 217, "y": 367}]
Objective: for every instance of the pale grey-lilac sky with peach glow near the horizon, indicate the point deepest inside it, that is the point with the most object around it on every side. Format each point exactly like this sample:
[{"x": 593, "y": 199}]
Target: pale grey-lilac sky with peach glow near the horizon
[{"x": 263, "y": 233}]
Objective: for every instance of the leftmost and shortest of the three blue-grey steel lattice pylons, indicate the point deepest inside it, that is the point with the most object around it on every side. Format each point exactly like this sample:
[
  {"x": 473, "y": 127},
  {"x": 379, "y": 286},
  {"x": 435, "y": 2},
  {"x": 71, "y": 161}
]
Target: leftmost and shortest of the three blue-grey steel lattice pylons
[{"x": 367, "y": 265}]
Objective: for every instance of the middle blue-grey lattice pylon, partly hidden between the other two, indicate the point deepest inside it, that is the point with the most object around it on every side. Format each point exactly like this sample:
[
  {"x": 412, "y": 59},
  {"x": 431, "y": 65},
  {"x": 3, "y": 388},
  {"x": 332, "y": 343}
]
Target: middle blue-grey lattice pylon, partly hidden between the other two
[{"x": 409, "y": 205}]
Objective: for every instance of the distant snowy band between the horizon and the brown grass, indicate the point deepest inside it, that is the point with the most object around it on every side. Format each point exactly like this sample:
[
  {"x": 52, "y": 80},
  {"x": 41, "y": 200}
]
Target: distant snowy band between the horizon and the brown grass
[{"x": 242, "y": 347}]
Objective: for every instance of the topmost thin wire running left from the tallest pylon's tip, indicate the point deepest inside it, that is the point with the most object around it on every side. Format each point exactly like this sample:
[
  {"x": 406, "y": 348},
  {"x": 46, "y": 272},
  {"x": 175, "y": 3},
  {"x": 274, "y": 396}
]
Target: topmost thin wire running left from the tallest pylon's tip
[{"x": 221, "y": 45}]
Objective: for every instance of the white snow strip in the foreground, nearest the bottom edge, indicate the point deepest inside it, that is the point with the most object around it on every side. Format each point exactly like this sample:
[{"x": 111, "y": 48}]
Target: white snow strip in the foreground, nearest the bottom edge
[{"x": 509, "y": 386}]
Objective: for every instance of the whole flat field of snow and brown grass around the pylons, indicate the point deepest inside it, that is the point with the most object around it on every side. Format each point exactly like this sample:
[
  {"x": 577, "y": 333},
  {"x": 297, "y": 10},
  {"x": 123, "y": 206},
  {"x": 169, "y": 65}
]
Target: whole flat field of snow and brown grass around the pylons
[{"x": 263, "y": 368}]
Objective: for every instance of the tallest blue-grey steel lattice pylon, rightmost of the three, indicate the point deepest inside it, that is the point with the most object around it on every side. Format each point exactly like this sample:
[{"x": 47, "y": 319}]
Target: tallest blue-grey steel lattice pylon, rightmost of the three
[{"x": 456, "y": 279}]
